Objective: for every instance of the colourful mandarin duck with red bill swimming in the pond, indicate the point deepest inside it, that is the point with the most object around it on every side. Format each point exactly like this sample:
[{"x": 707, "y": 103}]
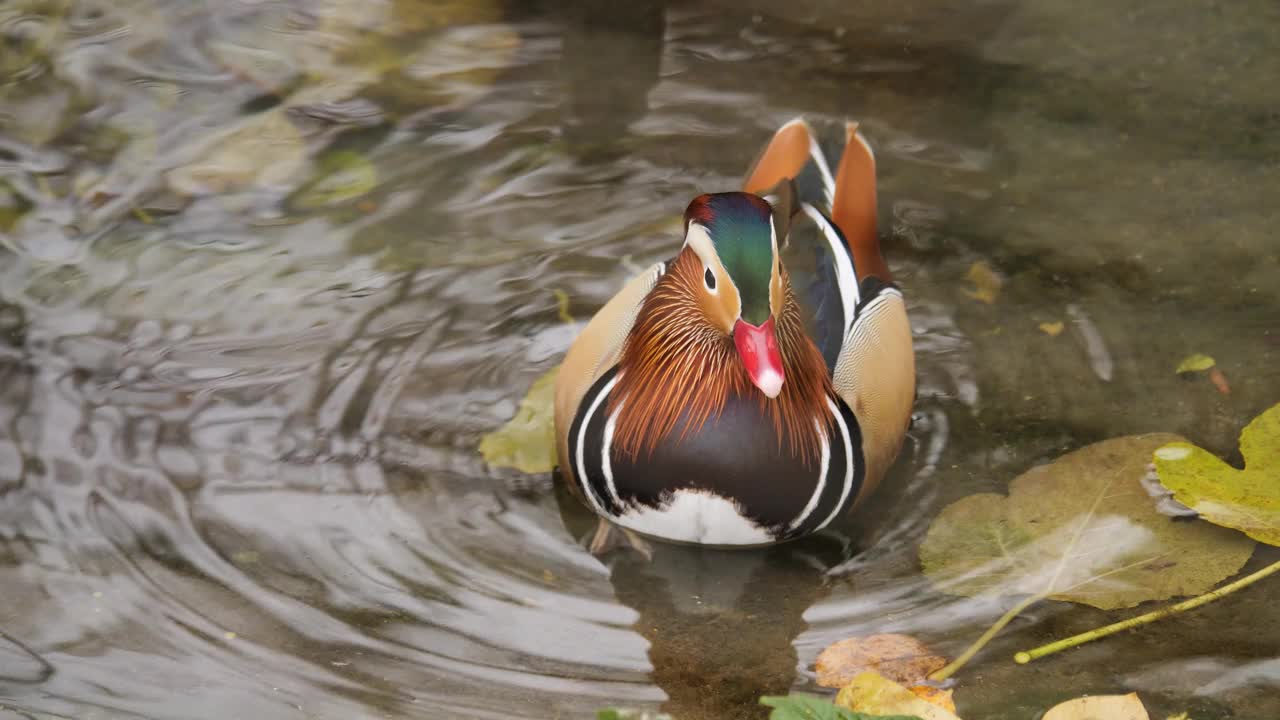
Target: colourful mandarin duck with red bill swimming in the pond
[{"x": 757, "y": 386}]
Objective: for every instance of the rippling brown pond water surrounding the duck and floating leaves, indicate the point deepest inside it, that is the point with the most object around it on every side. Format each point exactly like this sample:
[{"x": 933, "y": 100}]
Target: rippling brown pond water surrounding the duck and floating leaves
[{"x": 273, "y": 268}]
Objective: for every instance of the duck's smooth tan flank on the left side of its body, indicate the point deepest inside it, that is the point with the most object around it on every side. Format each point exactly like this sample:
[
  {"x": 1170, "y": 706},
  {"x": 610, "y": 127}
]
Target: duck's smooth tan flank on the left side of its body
[{"x": 597, "y": 349}]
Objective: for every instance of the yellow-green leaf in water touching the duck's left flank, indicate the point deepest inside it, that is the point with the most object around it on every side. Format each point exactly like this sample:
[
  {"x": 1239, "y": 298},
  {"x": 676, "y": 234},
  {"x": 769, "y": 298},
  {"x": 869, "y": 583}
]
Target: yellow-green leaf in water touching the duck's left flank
[{"x": 528, "y": 441}]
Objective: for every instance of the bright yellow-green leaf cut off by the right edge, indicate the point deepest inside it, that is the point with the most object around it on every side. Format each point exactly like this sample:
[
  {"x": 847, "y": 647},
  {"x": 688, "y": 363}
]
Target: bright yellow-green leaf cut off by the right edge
[{"x": 1247, "y": 500}]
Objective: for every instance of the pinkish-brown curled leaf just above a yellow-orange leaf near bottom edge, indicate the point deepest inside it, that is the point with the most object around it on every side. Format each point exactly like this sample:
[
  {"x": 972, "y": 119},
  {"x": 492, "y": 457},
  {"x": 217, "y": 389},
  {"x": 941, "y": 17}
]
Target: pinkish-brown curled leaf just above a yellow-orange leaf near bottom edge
[{"x": 902, "y": 659}]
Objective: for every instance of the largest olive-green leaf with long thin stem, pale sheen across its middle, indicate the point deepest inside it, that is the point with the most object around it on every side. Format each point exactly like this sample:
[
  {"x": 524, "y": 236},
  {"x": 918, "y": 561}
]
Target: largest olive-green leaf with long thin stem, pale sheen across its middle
[{"x": 1080, "y": 530}]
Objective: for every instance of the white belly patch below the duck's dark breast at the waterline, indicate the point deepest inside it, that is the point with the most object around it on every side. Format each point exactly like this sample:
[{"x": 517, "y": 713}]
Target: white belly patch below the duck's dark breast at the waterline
[{"x": 696, "y": 517}]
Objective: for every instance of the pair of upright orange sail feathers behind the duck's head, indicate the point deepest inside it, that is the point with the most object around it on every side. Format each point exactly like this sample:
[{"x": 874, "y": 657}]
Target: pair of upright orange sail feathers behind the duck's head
[{"x": 796, "y": 168}]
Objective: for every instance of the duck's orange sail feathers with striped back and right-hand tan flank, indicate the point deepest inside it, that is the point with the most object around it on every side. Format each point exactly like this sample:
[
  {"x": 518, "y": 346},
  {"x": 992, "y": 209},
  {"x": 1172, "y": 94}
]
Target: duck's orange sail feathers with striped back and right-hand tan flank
[{"x": 854, "y": 312}]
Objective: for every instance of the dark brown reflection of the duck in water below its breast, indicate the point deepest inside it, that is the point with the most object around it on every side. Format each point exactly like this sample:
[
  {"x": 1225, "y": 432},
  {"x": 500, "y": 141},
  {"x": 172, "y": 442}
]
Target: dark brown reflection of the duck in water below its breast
[{"x": 720, "y": 623}]
